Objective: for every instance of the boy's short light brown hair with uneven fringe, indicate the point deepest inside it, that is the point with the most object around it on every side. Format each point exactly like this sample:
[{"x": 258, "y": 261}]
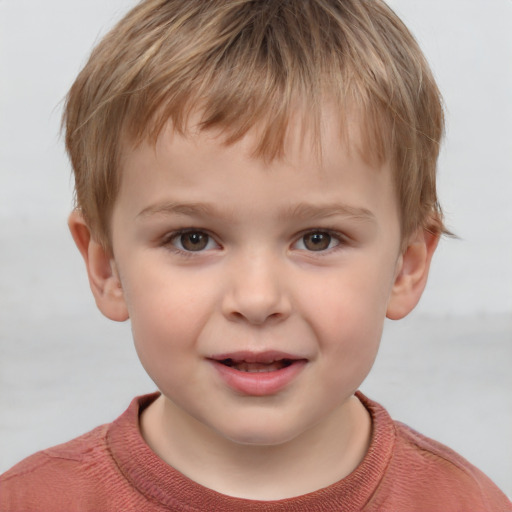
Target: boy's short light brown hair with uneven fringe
[{"x": 245, "y": 63}]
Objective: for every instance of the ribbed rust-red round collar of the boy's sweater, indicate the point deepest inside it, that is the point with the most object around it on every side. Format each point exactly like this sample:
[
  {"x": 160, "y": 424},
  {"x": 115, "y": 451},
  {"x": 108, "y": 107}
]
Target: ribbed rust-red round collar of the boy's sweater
[{"x": 158, "y": 481}]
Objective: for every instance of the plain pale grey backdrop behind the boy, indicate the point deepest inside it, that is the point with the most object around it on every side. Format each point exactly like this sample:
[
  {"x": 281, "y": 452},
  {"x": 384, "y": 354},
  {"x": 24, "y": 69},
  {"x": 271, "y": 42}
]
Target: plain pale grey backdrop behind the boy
[{"x": 64, "y": 369}]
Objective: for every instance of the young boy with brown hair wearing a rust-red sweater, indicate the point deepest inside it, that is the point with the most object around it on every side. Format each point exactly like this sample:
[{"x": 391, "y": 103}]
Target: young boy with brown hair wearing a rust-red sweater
[{"x": 255, "y": 185}]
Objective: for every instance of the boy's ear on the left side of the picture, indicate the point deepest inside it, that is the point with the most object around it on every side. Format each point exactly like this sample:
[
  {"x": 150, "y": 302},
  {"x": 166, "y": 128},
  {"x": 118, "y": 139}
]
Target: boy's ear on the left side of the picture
[{"x": 101, "y": 269}]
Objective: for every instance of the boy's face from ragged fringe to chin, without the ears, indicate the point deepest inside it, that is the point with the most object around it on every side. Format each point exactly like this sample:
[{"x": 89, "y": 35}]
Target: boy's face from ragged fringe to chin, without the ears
[{"x": 257, "y": 293}]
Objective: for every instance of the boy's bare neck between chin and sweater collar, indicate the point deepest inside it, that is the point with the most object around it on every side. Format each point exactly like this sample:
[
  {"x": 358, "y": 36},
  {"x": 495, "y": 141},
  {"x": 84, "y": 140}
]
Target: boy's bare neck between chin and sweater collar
[{"x": 317, "y": 458}]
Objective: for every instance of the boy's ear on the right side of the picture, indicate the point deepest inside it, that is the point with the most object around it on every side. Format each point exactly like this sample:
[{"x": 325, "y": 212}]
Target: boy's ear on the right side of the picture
[{"x": 412, "y": 273}]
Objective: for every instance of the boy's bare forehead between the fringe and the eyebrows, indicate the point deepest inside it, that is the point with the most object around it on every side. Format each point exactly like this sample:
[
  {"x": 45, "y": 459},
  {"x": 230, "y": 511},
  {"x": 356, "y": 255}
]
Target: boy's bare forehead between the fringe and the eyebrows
[{"x": 201, "y": 166}]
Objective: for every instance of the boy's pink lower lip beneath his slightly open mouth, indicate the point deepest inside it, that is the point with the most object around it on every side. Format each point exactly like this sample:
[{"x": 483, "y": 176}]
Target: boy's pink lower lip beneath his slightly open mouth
[{"x": 259, "y": 383}]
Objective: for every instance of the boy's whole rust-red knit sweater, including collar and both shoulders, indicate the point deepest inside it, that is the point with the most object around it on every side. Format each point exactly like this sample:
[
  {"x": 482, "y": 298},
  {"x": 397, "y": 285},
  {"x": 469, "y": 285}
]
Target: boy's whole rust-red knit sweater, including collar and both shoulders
[{"x": 112, "y": 469}]
